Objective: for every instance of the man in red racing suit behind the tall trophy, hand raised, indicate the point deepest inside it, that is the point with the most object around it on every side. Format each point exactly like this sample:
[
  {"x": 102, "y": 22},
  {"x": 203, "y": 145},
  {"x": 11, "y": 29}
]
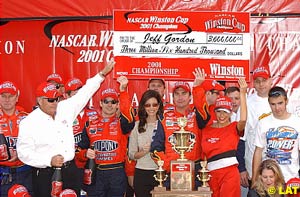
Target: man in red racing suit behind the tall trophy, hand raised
[{"x": 197, "y": 117}]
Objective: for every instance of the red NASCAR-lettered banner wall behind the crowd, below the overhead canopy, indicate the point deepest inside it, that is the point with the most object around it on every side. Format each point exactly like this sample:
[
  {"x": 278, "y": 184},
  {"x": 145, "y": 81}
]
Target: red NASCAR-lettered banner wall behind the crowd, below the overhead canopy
[{"x": 29, "y": 54}]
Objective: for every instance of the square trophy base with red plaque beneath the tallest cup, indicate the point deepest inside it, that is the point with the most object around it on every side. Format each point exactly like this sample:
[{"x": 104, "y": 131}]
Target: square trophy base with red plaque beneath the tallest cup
[{"x": 182, "y": 175}]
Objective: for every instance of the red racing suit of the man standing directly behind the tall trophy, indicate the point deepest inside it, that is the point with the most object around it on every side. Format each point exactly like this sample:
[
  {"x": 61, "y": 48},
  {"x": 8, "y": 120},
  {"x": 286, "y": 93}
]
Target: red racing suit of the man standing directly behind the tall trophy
[{"x": 197, "y": 117}]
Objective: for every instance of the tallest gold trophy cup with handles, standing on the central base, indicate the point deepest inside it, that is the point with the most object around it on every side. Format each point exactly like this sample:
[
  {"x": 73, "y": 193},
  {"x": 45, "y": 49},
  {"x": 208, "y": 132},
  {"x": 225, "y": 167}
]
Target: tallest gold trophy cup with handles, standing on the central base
[{"x": 182, "y": 142}]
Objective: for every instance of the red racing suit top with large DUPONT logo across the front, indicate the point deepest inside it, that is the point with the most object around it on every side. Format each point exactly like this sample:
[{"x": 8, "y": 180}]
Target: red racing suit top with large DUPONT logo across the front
[{"x": 109, "y": 135}]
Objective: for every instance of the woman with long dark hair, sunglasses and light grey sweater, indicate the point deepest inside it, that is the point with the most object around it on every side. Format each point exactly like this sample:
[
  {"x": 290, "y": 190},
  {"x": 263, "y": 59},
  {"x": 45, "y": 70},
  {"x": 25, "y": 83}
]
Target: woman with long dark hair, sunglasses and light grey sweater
[{"x": 149, "y": 111}]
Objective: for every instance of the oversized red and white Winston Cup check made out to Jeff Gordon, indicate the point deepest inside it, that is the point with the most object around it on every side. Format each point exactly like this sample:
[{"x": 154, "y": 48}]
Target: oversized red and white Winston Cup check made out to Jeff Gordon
[{"x": 171, "y": 44}]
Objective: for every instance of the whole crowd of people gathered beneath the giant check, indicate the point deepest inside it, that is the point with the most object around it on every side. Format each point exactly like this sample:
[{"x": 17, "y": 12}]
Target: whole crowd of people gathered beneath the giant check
[{"x": 251, "y": 143}]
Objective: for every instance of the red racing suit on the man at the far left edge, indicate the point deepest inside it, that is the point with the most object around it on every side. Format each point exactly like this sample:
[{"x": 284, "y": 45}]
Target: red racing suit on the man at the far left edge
[{"x": 10, "y": 128}]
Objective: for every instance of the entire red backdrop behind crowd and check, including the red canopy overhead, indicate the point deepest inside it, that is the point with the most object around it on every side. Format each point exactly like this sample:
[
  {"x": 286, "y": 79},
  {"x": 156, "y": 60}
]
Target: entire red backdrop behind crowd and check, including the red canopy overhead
[{"x": 28, "y": 55}]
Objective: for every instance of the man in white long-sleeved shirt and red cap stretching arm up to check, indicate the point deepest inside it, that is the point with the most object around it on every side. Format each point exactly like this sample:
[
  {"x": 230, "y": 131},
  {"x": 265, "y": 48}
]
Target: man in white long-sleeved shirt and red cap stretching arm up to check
[{"x": 46, "y": 139}]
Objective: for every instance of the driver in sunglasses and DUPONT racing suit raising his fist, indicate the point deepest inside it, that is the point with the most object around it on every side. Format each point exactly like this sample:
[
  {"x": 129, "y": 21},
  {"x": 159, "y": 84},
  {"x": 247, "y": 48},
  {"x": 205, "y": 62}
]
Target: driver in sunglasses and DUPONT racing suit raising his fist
[{"x": 108, "y": 133}]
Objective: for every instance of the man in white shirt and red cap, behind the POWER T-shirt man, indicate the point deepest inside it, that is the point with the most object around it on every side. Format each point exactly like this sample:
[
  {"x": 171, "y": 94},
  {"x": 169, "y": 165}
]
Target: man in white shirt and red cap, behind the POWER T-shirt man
[{"x": 258, "y": 105}]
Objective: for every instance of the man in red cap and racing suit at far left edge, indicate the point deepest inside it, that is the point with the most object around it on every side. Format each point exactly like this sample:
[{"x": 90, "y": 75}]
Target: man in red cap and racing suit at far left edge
[{"x": 12, "y": 170}]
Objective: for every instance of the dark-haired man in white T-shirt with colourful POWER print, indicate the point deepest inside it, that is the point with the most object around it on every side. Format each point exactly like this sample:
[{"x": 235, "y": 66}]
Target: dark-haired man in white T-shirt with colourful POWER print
[{"x": 277, "y": 137}]
